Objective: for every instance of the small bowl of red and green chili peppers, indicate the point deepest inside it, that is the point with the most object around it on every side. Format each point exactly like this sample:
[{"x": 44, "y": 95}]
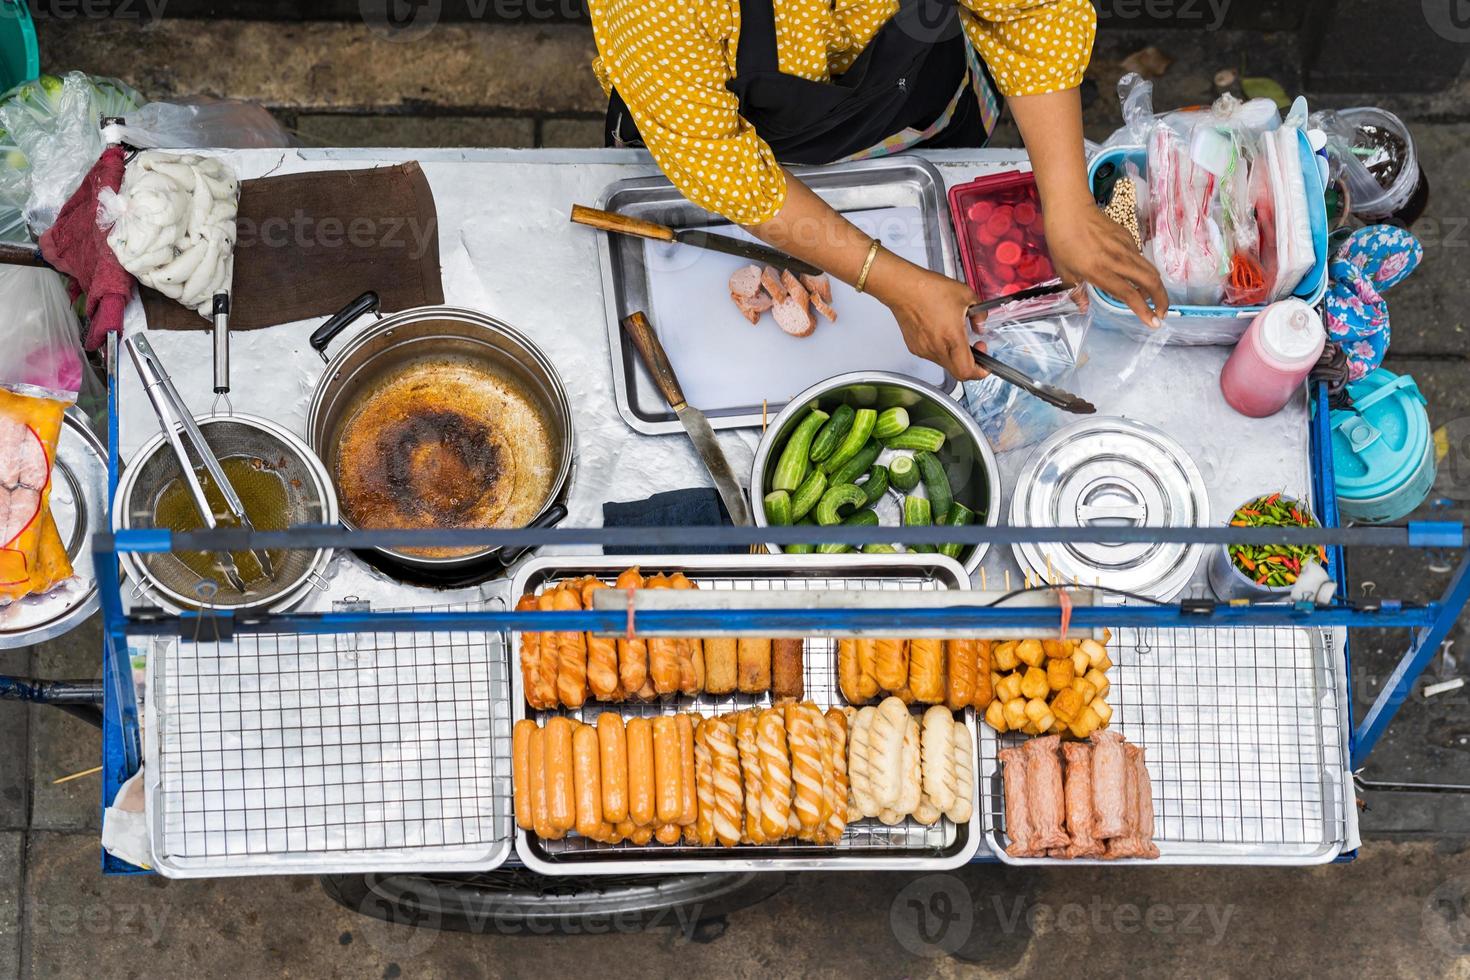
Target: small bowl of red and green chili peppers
[{"x": 1258, "y": 572}]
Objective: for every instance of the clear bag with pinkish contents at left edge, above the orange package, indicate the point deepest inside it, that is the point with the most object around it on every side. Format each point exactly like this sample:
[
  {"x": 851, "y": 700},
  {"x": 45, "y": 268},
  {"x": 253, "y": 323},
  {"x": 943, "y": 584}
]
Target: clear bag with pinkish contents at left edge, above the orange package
[{"x": 43, "y": 347}]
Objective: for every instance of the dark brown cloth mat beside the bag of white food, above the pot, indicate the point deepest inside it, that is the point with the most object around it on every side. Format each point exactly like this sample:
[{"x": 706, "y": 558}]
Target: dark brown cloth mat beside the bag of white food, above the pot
[{"x": 312, "y": 243}]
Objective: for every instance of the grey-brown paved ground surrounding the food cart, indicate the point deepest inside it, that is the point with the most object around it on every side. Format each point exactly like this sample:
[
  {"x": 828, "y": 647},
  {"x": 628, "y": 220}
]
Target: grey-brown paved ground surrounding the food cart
[{"x": 1399, "y": 910}]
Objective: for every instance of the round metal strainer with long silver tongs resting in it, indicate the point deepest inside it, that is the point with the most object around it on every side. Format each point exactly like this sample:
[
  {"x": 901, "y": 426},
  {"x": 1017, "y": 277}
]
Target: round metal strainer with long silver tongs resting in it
[{"x": 311, "y": 500}]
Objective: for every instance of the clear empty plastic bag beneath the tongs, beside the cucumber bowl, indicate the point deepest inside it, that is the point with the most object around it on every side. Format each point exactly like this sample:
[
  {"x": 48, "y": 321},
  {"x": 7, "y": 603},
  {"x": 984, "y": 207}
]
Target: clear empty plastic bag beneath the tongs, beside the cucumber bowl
[{"x": 1043, "y": 339}]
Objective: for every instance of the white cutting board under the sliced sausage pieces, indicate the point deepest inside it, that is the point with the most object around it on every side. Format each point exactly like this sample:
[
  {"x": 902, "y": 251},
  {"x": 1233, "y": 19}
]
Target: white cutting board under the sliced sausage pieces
[{"x": 727, "y": 364}]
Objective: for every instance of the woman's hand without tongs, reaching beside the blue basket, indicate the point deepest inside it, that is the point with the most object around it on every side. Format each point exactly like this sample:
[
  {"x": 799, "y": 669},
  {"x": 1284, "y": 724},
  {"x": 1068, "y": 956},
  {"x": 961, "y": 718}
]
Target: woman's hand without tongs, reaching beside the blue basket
[{"x": 1087, "y": 246}]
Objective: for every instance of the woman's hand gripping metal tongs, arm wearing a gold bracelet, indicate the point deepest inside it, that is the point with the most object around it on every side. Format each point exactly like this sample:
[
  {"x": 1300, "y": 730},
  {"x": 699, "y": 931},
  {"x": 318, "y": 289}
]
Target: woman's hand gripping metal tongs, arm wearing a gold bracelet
[{"x": 931, "y": 314}]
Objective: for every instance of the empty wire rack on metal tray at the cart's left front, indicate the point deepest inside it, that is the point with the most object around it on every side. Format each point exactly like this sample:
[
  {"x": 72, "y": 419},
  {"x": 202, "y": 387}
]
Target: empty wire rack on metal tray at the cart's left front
[{"x": 334, "y": 753}]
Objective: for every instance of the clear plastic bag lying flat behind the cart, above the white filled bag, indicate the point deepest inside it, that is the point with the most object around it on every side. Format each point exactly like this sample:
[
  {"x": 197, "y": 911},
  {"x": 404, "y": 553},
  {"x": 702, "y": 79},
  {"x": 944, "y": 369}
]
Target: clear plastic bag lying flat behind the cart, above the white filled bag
[{"x": 201, "y": 123}]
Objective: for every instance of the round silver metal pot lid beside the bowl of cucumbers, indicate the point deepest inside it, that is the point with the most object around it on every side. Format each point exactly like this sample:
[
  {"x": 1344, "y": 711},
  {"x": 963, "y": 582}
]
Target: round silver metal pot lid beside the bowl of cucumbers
[{"x": 1112, "y": 474}]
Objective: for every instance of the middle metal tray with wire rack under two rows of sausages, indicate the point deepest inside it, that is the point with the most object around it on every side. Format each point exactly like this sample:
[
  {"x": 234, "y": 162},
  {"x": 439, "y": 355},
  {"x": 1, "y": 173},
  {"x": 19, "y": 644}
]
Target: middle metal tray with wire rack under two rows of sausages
[{"x": 865, "y": 843}]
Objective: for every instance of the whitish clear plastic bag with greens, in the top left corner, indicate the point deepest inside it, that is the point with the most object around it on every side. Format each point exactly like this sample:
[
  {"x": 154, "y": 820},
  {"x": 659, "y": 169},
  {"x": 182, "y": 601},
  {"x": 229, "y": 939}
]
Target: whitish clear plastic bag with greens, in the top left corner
[{"x": 52, "y": 126}]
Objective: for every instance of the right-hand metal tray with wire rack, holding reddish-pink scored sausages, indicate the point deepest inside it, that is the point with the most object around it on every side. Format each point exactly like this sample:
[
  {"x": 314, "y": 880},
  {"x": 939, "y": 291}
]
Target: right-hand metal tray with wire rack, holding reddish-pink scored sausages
[{"x": 1246, "y": 741}]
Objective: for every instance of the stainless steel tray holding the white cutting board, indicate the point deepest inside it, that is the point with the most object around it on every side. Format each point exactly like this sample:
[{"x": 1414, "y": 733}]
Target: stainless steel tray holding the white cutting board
[{"x": 905, "y": 181}]
